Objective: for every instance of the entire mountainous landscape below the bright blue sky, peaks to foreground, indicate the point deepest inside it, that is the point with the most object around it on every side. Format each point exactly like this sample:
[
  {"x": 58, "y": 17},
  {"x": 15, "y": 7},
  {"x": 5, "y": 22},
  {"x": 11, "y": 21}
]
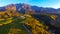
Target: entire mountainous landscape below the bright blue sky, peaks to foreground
[{"x": 26, "y": 19}]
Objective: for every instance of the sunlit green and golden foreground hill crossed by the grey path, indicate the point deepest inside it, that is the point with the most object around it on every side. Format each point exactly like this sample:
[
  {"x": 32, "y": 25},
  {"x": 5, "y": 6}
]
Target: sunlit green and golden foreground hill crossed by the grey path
[{"x": 23, "y": 24}]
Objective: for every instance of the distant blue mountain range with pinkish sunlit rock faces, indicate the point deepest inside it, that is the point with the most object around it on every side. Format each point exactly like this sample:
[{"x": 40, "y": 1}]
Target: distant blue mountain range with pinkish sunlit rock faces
[{"x": 23, "y": 8}]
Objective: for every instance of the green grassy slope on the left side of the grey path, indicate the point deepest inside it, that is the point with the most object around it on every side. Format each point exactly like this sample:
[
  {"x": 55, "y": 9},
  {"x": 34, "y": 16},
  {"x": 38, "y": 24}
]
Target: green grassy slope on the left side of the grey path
[{"x": 9, "y": 23}]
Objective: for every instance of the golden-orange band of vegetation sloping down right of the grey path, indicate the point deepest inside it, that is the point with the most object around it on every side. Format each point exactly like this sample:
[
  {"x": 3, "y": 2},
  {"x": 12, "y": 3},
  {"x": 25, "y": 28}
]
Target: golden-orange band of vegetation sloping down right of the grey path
[{"x": 35, "y": 26}]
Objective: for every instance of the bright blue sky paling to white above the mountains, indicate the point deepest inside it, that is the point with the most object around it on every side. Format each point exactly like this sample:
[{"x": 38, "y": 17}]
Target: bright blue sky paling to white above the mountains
[{"x": 40, "y": 3}]
